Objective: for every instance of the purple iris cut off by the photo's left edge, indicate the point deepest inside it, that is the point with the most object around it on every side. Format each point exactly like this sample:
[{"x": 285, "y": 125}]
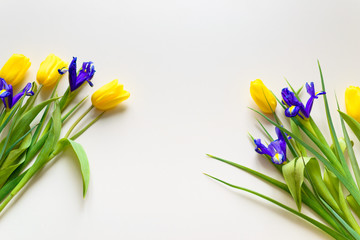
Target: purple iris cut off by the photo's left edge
[{"x": 6, "y": 93}]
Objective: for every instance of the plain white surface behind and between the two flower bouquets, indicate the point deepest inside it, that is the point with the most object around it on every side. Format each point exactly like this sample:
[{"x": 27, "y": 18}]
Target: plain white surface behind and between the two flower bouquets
[{"x": 188, "y": 65}]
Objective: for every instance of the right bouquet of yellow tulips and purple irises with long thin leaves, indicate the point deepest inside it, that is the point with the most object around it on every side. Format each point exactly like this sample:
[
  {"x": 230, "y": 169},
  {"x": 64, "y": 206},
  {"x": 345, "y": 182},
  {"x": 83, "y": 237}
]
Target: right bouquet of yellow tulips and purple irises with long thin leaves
[{"x": 321, "y": 173}]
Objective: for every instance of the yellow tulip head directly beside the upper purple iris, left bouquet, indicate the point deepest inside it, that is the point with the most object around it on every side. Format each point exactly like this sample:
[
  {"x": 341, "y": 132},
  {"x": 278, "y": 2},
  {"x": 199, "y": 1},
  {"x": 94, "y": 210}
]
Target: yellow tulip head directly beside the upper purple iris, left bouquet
[{"x": 48, "y": 73}]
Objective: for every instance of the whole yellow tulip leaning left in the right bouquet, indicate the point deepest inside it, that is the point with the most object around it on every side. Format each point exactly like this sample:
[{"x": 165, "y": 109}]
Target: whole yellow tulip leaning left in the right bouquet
[{"x": 262, "y": 96}]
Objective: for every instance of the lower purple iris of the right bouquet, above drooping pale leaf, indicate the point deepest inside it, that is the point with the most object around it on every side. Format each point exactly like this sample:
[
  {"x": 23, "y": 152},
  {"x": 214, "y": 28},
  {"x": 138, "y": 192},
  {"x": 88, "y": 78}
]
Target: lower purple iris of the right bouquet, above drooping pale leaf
[{"x": 276, "y": 149}]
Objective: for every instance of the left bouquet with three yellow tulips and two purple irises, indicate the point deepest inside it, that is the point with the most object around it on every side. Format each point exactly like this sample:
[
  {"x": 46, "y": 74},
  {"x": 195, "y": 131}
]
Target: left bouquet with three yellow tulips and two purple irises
[{"x": 31, "y": 132}]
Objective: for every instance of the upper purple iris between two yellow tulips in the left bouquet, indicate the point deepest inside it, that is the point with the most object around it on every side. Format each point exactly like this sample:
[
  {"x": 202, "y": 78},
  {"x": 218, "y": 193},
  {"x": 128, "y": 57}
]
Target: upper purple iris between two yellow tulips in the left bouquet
[{"x": 86, "y": 73}]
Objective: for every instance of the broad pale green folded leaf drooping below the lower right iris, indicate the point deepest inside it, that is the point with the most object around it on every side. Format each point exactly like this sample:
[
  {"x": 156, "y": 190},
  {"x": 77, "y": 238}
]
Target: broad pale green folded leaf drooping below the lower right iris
[{"x": 293, "y": 173}]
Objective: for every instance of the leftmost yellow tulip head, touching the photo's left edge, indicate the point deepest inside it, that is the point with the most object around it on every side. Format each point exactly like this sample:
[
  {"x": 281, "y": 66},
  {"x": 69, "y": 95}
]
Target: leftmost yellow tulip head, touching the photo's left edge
[{"x": 13, "y": 72}]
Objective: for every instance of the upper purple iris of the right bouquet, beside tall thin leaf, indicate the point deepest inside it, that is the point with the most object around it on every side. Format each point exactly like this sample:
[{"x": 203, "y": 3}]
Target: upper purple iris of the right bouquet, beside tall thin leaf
[{"x": 295, "y": 107}]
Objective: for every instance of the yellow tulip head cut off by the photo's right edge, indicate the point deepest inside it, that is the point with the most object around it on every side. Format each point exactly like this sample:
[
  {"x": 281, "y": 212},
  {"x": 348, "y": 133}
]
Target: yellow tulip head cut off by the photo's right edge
[{"x": 352, "y": 102}]
